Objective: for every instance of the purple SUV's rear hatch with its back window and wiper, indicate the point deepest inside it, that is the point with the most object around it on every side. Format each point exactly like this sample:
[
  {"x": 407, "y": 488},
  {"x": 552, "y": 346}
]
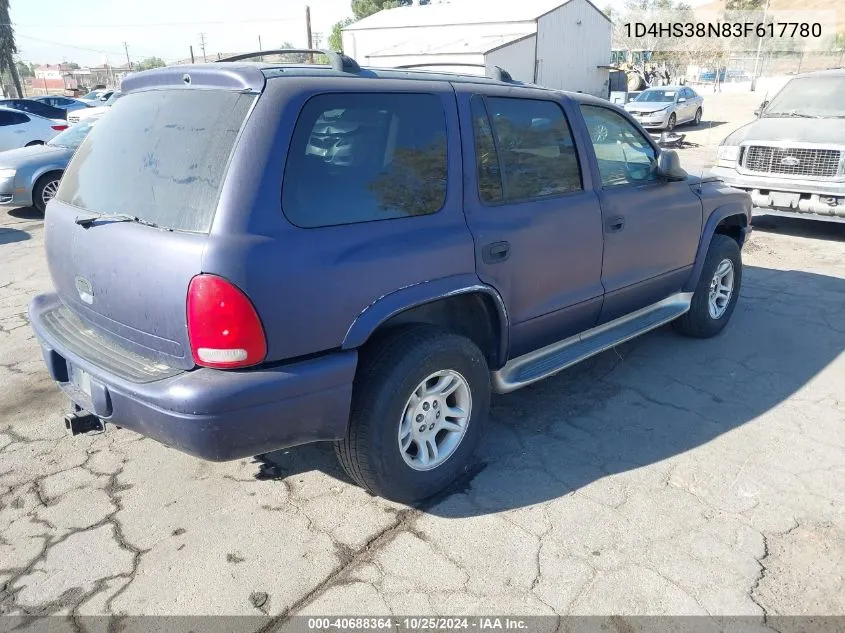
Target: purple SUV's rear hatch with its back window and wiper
[{"x": 157, "y": 161}]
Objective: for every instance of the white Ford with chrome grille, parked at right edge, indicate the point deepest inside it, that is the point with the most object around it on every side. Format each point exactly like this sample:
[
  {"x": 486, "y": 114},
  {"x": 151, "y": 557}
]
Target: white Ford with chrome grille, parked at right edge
[{"x": 792, "y": 158}]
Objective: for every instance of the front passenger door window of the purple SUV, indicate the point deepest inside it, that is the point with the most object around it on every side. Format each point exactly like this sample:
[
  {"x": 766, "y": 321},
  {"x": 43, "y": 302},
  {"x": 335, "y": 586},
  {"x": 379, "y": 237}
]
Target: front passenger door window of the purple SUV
[{"x": 624, "y": 155}]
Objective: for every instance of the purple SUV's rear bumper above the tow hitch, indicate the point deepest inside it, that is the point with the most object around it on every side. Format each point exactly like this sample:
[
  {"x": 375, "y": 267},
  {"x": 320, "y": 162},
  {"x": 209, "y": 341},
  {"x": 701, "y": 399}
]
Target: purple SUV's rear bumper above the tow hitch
[{"x": 213, "y": 414}]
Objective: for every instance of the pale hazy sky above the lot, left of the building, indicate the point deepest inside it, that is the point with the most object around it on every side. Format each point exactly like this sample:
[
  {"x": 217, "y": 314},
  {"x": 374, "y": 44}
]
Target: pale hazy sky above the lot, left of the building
[{"x": 90, "y": 31}]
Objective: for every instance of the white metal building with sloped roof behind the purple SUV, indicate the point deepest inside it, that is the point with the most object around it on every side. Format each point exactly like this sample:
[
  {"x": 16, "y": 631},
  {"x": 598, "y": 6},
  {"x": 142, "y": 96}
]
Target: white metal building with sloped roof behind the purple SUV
[{"x": 559, "y": 44}]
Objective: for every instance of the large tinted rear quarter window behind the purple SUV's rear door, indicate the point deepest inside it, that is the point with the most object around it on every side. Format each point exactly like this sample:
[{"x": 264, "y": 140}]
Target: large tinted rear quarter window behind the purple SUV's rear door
[{"x": 364, "y": 157}]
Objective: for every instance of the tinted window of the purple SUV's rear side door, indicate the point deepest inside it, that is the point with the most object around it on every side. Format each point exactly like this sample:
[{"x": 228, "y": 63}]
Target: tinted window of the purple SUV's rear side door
[{"x": 537, "y": 156}]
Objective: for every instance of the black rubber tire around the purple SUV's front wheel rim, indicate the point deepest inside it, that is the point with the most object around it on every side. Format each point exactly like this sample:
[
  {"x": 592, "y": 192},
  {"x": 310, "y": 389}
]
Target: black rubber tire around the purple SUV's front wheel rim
[{"x": 698, "y": 322}]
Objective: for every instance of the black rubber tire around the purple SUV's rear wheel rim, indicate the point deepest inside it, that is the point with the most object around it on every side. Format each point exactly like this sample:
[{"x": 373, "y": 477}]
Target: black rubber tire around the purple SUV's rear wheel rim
[{"x": 388, "y": 373}]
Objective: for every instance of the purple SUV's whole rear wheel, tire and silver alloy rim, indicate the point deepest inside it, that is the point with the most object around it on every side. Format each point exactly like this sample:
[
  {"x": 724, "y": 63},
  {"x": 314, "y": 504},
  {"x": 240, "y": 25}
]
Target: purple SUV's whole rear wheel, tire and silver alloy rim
[{"x": 420, "y": 401}]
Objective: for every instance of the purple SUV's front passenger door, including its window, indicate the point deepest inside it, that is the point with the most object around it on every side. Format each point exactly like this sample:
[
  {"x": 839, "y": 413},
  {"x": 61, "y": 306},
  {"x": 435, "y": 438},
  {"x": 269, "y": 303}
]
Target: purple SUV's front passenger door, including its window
[{"x": 651, "y": 226}]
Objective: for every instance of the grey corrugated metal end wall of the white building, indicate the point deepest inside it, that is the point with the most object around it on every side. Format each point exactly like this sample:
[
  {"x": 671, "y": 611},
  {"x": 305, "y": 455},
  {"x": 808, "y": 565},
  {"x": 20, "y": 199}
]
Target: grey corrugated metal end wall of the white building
[{"x": 572, "y": 41}]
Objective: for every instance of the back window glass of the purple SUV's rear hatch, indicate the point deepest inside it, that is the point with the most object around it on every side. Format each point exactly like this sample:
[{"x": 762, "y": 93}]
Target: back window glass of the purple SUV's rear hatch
[{"x": 160, "y": 156}]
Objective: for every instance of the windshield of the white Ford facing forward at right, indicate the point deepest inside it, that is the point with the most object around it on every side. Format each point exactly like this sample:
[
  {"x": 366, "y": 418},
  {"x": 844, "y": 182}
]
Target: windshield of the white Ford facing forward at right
[{"x": 820, "y": 96}]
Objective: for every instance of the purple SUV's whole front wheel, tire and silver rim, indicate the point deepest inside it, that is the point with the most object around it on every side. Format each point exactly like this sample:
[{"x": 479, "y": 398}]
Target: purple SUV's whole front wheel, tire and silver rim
[{"x": 717, "y": 291}]
